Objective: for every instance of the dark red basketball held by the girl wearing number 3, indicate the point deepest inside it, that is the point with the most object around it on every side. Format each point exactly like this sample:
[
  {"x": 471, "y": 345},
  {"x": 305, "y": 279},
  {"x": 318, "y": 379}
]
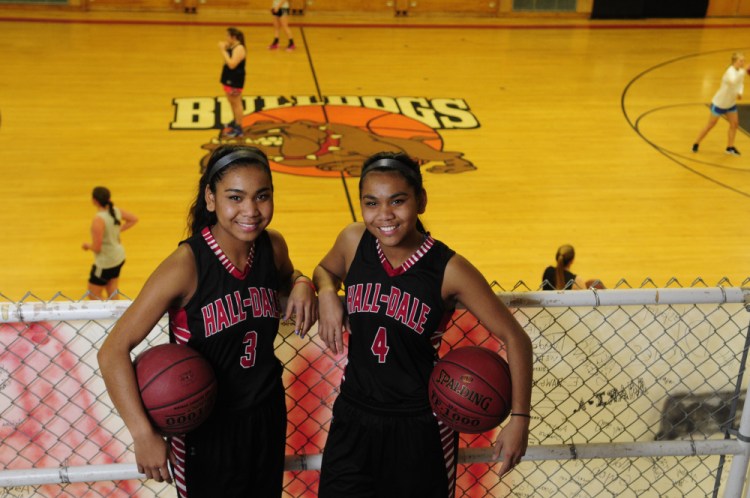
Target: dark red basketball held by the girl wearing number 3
[{"x": 177, "y": 385}]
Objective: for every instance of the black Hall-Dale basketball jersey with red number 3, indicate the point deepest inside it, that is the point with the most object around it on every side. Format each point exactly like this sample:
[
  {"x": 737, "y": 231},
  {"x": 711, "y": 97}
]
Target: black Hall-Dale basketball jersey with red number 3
[{"x": 233, "y": 319}]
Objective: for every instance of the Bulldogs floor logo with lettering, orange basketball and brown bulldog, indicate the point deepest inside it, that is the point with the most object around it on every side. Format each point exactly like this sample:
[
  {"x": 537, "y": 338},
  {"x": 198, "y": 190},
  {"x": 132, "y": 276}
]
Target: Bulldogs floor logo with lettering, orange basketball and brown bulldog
[{"x": 302, "y": 136}]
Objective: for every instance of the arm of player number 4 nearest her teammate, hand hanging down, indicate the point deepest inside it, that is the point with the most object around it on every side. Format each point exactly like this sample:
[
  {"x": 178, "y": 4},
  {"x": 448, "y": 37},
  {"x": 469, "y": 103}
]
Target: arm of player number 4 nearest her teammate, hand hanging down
[{"x": 328, "y": 277}]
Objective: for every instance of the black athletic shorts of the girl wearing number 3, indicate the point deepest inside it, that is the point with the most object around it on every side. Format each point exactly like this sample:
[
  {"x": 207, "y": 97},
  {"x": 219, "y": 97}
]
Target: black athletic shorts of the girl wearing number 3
[{"x": 235, "y": 454}]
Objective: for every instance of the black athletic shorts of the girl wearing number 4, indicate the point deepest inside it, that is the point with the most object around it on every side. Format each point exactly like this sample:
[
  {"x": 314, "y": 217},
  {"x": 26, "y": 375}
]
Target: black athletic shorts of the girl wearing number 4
[{"x": 374, "y": 455}]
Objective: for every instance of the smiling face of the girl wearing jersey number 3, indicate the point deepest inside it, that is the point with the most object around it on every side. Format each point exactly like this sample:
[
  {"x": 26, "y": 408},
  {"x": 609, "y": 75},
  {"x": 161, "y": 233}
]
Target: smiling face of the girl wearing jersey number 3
[{"x": 243, "y": 203}]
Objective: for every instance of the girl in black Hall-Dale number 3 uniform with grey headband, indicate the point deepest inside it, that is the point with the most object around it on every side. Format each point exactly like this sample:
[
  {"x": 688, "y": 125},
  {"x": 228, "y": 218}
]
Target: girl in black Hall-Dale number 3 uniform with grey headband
[{"x": 221, "y": 288}]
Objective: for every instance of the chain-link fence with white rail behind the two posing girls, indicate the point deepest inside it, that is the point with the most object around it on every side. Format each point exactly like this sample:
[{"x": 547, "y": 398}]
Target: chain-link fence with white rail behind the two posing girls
[{"x": 604, "y": 372}]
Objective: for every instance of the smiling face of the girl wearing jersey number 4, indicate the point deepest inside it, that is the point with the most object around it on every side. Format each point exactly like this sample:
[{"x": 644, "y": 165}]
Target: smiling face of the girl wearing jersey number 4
[{"x": 390, "y": 208}]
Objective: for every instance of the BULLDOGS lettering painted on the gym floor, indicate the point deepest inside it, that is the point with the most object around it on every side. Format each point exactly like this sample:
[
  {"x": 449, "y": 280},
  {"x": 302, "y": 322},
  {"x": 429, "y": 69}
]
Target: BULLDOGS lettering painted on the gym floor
[{"x": 204, "y": 113}]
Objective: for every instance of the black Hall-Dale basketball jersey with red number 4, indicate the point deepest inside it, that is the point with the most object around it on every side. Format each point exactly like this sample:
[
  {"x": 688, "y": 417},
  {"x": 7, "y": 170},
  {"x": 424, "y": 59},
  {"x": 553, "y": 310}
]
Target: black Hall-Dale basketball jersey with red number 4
[{"x": 397, "y": 318}]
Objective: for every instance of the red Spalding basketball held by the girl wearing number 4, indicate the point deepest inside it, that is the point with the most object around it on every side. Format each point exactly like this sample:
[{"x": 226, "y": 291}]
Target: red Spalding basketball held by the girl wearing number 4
[{"x": 470, "y": 389}]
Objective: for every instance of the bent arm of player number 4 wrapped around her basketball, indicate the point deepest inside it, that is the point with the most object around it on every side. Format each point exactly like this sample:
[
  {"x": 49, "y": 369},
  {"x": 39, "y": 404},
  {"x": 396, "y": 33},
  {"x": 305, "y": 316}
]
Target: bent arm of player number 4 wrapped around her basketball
[{"x": 464, "y": 283}]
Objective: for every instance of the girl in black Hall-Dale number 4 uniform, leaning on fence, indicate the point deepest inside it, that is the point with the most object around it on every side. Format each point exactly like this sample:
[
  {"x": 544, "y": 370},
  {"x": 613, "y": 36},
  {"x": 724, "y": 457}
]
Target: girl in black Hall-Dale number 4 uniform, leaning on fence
[{"x": 401, "y": 288}]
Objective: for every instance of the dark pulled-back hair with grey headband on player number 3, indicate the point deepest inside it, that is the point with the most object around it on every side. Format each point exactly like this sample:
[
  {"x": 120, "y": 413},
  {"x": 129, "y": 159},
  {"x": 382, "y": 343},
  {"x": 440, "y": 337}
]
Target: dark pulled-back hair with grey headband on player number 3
[{"x": 222, "y": 159}]
